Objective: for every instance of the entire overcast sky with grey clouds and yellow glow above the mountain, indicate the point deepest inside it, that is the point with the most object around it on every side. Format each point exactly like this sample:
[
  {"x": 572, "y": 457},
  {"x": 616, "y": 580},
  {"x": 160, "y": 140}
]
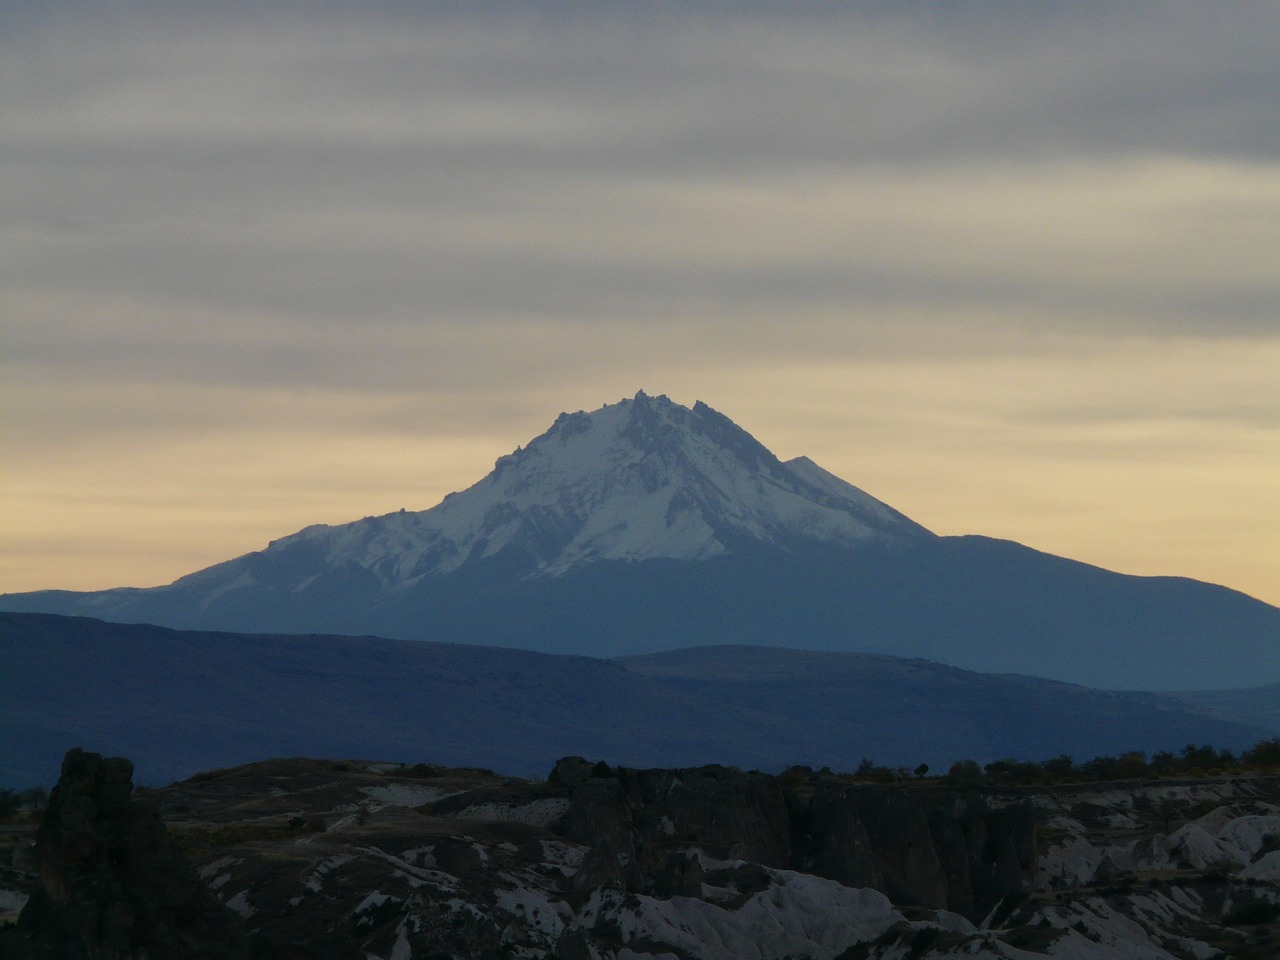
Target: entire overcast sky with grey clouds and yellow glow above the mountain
[{"x": 1012, "y": 268}]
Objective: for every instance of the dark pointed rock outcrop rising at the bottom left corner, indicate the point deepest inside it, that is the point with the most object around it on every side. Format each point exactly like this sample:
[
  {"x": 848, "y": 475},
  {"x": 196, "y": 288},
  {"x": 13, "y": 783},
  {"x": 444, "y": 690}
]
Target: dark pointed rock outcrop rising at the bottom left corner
[{"x": 112, "y": 884}]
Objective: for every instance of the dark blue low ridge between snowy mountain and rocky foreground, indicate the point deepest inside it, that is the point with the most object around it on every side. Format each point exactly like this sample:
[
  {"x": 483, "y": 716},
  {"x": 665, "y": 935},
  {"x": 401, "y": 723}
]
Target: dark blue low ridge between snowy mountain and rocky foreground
[{"x": 186, "y": 701}]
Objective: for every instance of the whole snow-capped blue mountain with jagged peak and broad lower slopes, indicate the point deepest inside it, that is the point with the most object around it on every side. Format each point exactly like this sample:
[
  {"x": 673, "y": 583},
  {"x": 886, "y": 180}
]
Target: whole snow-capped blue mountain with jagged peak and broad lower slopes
[{"x": 647, "y": 525}]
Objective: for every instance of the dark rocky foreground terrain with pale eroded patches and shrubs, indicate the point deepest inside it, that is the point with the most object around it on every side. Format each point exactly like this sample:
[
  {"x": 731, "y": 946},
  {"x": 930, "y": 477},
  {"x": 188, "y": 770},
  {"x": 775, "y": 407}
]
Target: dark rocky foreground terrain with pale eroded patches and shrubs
[{"x": 354, "y": 860}]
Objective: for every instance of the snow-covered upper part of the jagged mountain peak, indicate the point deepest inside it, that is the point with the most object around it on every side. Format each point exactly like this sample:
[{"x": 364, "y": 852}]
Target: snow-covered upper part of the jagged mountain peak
[{"x": 641, "y": 479}]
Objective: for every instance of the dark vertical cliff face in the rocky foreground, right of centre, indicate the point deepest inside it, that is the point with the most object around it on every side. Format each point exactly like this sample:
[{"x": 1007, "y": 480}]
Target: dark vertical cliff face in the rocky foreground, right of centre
[{"x": 924, "y": 848}]
